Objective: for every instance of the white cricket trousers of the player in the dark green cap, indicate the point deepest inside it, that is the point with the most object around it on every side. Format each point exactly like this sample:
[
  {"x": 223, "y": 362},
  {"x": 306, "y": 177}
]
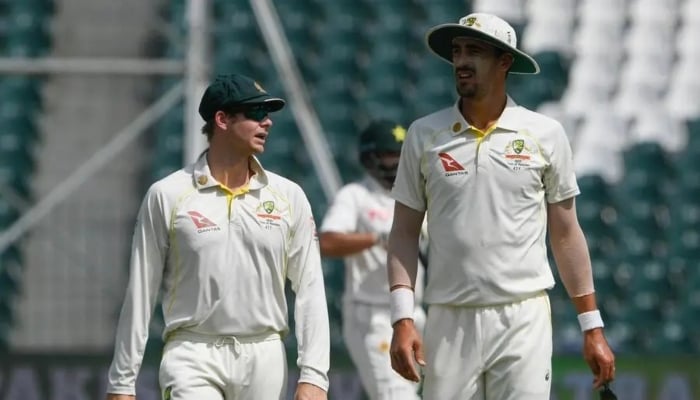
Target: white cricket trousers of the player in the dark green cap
[{"x": 203, "y": 367}]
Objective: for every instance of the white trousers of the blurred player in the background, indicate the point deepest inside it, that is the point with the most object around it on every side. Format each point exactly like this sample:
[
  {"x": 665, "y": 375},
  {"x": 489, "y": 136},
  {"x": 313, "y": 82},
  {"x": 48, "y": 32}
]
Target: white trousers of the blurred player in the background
[{"x": 367, "y": 333}]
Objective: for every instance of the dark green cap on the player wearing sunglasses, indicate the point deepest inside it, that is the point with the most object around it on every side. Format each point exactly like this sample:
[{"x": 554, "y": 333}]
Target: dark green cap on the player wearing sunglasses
[{"x": 229, "y": 91}]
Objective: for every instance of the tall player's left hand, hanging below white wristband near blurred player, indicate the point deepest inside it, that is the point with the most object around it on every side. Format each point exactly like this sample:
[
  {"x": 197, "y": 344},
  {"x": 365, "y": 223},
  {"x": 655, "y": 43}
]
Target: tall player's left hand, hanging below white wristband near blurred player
[{"x": 406, "y": 350}]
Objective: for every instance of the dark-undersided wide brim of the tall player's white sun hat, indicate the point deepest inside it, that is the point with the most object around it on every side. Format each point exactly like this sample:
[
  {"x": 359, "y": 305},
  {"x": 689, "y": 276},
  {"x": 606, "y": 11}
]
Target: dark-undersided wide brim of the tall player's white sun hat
[{"x": 439, "y": 40}]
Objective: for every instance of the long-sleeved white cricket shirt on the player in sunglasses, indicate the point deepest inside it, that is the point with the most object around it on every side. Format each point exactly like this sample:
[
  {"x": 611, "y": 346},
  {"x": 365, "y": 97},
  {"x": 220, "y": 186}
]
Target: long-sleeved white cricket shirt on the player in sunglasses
[{"x": 221, "y": 259}]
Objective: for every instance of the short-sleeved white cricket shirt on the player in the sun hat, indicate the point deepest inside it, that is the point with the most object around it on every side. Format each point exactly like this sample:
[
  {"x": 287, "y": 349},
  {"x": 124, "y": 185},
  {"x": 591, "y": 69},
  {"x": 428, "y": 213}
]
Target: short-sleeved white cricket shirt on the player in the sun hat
[{"x": 485, "y": 195}]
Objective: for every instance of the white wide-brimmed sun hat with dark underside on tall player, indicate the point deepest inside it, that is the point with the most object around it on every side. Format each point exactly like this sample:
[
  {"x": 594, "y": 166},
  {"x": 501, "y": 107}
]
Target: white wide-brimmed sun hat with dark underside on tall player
[{"x": 486, "y": 27}]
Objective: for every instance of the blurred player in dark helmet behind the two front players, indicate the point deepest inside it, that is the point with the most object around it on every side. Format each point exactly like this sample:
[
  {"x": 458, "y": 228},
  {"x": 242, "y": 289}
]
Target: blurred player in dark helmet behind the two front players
[{"x": 356, "y": 227}]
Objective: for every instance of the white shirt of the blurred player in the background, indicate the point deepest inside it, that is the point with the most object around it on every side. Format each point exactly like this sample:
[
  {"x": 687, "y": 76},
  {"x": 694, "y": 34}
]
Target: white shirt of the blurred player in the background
[{"x": 365, "y": 207}]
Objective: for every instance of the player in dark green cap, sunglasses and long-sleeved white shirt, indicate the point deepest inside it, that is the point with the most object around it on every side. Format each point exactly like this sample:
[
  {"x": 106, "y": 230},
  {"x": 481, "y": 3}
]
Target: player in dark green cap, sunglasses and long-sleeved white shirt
[{"x": 221, "y": 237}]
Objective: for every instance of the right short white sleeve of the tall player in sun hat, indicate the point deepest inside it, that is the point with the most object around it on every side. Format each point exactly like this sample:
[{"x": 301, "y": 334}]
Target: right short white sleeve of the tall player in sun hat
[{"x": 559, "y": 177}]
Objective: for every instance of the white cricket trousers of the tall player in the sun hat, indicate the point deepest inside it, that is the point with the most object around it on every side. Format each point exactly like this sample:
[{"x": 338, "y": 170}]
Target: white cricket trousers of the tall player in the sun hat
[{"x": 501, "y": 352}]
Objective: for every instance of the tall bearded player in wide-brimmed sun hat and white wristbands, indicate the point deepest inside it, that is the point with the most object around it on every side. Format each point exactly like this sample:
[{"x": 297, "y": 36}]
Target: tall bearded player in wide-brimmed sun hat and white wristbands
[{"x": 493, "y": 177}]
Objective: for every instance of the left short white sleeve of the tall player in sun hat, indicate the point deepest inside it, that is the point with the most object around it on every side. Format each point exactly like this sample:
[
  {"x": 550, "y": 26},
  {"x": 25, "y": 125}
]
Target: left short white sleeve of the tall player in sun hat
[{"x": 409, "y": 186}]
